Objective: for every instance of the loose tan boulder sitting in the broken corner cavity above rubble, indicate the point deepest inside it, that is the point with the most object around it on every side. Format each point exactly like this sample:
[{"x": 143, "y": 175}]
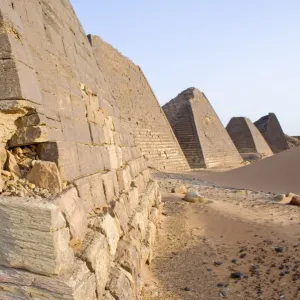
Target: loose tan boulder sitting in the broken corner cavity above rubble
[{"x": 45, "y": 174}]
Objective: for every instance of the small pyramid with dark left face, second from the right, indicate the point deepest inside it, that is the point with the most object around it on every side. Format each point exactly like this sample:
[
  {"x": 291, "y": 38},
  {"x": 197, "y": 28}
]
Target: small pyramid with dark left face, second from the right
[{"x": 246, "y": 137}]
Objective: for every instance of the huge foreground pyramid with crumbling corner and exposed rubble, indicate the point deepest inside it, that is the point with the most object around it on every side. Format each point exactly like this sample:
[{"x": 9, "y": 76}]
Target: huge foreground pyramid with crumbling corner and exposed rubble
[{"x": 85, "y": 219}]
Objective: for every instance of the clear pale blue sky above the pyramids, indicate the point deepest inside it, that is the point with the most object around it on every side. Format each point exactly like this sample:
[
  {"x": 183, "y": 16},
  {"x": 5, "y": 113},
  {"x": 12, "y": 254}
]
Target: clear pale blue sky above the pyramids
[{"x": 243, "y": 54}]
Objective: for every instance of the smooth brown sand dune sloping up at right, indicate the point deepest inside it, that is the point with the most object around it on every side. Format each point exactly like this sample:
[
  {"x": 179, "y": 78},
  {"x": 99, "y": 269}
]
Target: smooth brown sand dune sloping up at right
[{"x": 279, "y": 173}]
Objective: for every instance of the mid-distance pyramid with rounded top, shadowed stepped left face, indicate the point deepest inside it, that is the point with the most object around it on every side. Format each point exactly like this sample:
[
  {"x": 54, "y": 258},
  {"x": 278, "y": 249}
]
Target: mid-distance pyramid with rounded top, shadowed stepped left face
[{"x": 202, "y": 137}]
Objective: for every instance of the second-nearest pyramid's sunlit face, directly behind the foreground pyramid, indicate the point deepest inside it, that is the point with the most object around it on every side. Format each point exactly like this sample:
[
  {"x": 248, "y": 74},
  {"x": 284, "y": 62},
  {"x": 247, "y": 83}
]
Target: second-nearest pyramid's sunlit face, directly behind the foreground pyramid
[{"x": 139, "y": 106}]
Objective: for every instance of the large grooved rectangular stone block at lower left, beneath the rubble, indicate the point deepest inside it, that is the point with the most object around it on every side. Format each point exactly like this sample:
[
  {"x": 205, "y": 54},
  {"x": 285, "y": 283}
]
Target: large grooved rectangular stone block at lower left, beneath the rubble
[{"x": 33, "y": 236}]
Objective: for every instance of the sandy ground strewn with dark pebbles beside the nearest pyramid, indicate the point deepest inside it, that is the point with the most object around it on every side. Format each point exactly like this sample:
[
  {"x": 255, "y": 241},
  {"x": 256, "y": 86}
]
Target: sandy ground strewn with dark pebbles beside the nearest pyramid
[{"x": 200, "y": 245}]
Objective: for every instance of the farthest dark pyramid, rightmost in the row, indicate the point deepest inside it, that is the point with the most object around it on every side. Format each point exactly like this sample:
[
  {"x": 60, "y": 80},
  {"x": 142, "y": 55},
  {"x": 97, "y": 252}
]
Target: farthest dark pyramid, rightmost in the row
[{"x": 271, "y": 130}]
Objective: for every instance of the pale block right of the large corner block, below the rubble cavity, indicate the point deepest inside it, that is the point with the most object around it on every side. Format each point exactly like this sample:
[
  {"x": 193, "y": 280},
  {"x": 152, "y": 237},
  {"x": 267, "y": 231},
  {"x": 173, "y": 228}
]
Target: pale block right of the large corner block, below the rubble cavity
[{"x": 74, "y": 211}]
